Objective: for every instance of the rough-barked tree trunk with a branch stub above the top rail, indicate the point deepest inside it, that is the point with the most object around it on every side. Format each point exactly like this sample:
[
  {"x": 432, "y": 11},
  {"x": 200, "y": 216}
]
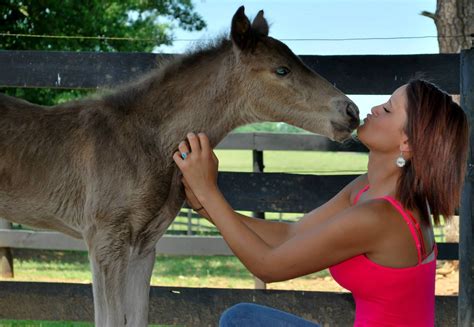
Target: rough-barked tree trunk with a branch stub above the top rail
[{"x": 454, "y": 20}]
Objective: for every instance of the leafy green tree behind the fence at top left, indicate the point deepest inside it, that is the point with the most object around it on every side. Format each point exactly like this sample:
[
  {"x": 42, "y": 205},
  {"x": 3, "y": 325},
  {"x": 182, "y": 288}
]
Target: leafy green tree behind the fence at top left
[{"x": 149, "y": 22}]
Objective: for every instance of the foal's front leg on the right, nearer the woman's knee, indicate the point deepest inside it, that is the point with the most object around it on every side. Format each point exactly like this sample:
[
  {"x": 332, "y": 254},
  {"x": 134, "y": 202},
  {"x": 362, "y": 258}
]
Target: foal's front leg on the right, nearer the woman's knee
[{"x": 139, "y": 272}]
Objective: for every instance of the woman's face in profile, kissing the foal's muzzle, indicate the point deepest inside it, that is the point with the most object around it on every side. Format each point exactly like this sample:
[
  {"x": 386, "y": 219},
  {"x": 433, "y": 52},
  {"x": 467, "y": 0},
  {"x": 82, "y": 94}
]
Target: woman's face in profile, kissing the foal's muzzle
[{"x": 383, "y": 128}]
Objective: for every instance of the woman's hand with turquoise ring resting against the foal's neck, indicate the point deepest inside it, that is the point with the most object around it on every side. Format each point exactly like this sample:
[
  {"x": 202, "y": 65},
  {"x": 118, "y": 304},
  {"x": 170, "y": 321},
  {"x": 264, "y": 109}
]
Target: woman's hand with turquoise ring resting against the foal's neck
[{"x": 199, "y": 166}]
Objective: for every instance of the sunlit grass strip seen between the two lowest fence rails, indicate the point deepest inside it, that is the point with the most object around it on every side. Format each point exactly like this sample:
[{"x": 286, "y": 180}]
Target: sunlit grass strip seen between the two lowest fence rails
[{"x": 190, "y": 271}]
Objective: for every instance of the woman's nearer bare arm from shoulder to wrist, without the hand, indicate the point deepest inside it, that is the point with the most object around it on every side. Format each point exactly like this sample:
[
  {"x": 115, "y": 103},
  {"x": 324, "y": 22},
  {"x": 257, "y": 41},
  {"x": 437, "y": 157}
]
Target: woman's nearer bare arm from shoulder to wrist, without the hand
[{"x": 354, "y": 231}]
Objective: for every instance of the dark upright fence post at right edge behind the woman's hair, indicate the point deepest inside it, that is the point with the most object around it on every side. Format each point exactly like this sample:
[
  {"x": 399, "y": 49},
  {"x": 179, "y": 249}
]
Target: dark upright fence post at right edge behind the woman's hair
[{"x": 466, "y": 224}]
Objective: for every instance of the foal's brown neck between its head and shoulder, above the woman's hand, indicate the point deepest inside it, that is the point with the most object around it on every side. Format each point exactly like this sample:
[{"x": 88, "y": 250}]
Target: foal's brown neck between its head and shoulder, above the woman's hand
[{"x": 203, "y": 99}]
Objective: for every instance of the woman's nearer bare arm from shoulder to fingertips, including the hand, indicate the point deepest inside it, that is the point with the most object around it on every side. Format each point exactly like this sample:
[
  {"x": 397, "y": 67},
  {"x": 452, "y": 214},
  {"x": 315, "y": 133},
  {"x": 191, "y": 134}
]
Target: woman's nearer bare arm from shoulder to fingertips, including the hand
[{"x": 351, "y": 232}]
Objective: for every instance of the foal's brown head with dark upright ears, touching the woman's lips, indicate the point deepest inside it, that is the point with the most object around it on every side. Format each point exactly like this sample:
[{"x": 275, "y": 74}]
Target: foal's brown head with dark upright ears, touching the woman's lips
[{"x": 277, "y": 86}]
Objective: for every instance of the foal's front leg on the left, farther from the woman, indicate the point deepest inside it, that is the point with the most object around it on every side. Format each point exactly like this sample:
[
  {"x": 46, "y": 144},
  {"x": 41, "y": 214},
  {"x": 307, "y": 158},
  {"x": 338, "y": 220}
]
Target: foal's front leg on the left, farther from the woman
[{"x": 109, "y": 253}]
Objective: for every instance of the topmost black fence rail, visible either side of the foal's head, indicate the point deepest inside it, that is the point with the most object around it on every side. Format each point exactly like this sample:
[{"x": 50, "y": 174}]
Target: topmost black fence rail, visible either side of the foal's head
[{"x": 367, "y": 74}]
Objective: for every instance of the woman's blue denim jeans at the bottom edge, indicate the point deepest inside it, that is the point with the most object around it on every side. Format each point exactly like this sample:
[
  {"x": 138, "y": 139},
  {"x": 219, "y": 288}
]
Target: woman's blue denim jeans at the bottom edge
[{"x": 254, "y": 315}]
